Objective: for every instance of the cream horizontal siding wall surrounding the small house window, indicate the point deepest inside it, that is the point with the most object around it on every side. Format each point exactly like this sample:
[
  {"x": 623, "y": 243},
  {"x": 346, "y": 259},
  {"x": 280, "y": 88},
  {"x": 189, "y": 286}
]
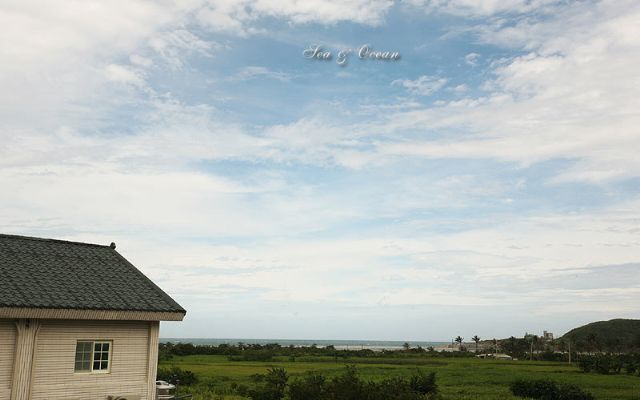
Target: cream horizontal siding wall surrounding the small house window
[{"x": 54, "y": 377}]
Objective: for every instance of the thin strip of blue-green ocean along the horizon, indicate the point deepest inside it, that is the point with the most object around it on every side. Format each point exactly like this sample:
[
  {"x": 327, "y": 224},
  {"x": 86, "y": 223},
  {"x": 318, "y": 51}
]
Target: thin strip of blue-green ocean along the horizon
[{"x": 338, "y": 344}]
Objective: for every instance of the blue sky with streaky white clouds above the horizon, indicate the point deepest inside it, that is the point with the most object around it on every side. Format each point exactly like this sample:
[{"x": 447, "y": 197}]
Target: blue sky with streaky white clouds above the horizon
[{"x": 485, "y": 183}]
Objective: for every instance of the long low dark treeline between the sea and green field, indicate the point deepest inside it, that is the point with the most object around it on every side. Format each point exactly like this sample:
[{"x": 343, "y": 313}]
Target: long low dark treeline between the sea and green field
[{"x": 266, "y": 352}]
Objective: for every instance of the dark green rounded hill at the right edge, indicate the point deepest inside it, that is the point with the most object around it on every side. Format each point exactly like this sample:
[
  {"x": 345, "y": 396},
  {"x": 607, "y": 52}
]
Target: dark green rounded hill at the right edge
[{"x": 614, "y": 335}]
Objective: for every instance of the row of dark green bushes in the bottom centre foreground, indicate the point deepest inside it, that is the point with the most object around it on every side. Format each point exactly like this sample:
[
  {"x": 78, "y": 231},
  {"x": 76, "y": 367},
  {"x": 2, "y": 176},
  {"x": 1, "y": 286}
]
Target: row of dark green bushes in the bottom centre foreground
[{"x": 275, "y": 385}]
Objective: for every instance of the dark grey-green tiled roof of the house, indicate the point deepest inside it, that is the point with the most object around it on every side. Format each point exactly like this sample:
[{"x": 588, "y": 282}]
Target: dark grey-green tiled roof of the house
[{"x": 47, "y": 273}]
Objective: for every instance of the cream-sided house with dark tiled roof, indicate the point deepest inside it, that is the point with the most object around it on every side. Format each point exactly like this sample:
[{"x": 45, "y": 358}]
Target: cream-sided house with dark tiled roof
[{"x": 77, "y": 322}]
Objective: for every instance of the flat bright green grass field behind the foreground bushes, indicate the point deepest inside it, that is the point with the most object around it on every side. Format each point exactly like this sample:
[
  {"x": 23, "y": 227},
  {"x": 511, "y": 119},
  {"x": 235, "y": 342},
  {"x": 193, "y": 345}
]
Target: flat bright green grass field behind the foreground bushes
[{"x": 457, "y": 378}]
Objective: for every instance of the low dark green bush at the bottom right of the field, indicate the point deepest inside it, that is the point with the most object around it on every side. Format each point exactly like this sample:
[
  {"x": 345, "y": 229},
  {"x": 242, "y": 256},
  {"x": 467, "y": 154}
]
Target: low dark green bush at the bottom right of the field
[{"x": 546, "y": 389}]
